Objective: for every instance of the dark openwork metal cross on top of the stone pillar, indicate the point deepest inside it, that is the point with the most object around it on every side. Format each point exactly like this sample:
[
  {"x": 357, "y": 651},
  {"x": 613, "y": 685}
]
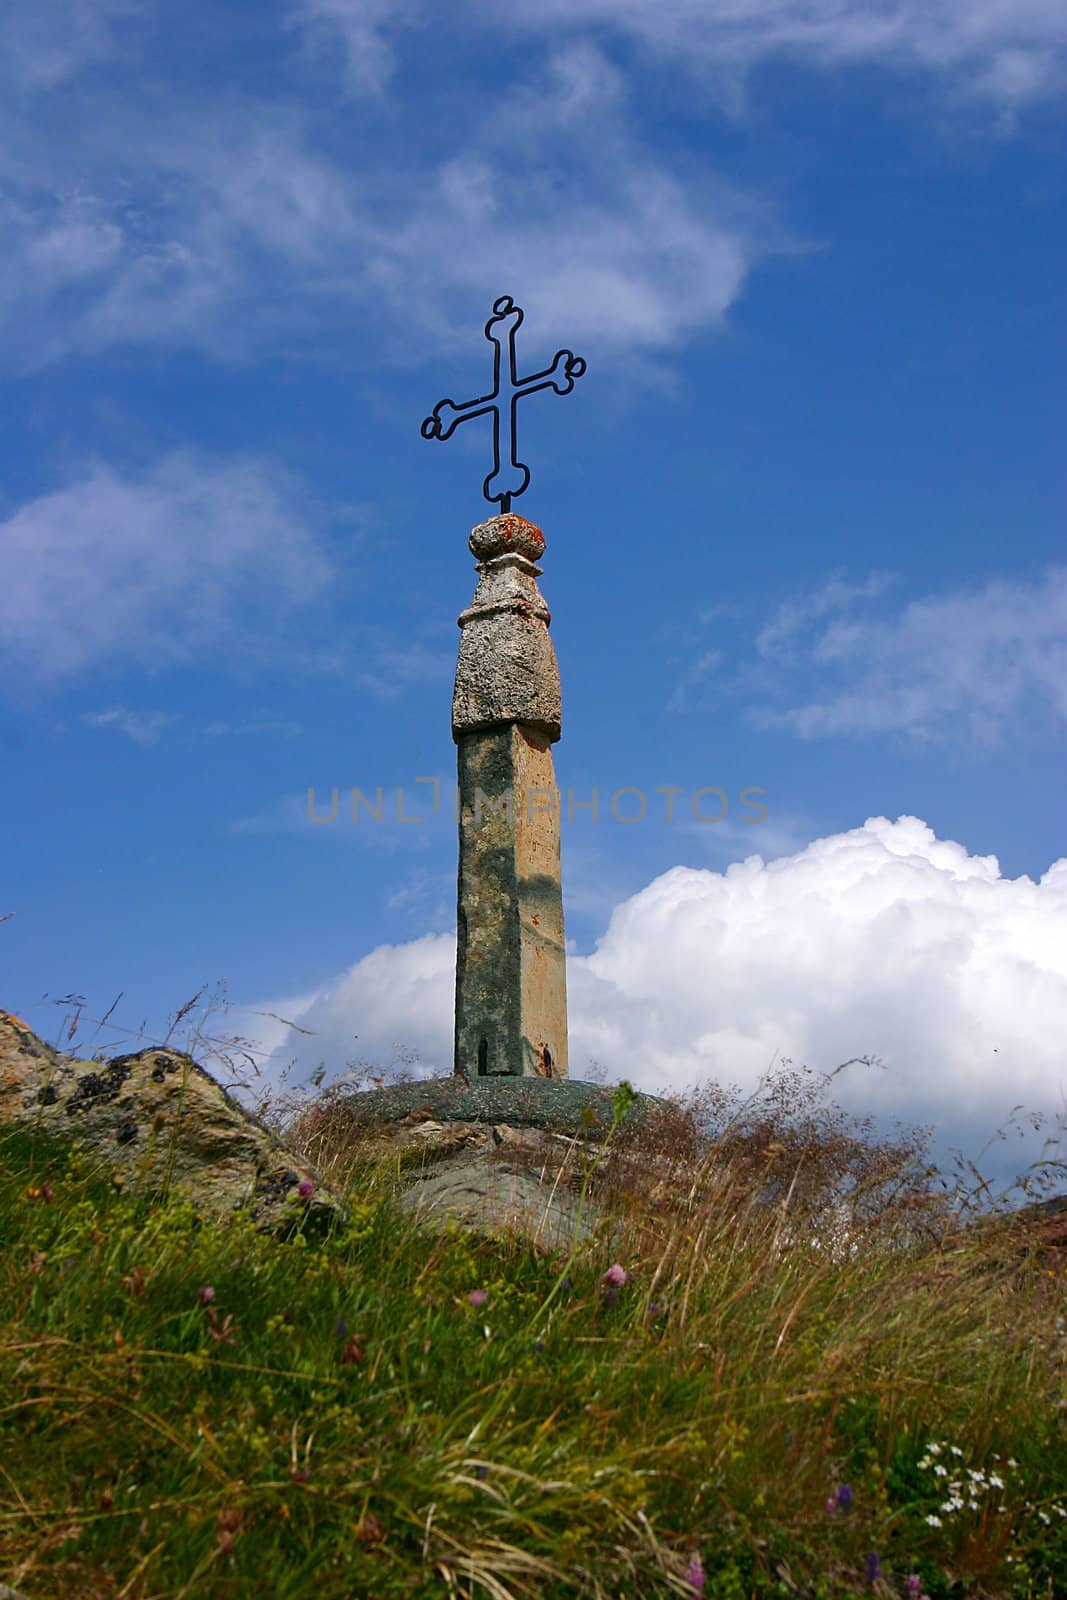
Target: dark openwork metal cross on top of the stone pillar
[{"x": 508, "y": 478}]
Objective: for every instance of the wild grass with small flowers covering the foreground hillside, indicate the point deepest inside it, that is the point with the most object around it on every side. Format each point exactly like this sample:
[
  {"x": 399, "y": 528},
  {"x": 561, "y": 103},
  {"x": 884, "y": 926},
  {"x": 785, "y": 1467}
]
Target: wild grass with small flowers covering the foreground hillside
[{"x": 733, "y": 1401}]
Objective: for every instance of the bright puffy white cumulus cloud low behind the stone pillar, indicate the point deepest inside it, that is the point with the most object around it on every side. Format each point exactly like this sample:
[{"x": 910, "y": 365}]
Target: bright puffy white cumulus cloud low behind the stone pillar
[{"x": 882, "y": 942}]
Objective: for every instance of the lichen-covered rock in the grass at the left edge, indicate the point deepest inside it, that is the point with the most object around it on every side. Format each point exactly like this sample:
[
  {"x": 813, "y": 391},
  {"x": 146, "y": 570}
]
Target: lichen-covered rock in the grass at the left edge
[{"x": 159, "y": 1122}]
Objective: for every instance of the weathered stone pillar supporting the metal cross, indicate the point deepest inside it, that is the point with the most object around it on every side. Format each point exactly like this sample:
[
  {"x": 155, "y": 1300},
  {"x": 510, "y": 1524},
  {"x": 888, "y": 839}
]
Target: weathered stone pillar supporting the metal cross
[{"x": 511, "y": 966}]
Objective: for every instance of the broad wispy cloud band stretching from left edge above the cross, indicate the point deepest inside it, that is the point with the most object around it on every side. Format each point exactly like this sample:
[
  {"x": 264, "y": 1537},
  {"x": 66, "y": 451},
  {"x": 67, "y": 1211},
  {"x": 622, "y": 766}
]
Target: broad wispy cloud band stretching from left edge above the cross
[{"x": 226, "y": 223}]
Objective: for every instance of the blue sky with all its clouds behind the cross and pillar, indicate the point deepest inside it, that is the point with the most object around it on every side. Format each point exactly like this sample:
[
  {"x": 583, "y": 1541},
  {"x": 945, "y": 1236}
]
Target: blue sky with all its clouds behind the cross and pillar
[{"x": 804, "y": 524}]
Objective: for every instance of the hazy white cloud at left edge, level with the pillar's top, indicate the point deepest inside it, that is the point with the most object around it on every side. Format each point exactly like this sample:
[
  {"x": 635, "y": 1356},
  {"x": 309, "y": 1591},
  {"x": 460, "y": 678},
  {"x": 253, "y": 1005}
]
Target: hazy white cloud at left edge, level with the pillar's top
[{"x": 185, "y": 562}]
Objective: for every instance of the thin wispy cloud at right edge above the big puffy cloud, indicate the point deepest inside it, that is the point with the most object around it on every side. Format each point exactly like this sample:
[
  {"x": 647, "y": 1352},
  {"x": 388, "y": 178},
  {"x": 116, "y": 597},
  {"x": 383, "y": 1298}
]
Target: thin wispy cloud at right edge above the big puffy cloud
[{"x": 957, "y": 668}]
